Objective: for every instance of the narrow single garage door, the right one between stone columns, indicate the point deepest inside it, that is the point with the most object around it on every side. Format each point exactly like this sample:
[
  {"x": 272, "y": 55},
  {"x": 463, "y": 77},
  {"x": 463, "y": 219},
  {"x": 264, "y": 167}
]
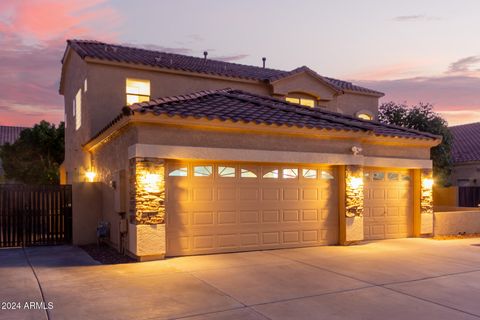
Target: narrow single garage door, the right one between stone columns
[{"x": 388, "y": 204}]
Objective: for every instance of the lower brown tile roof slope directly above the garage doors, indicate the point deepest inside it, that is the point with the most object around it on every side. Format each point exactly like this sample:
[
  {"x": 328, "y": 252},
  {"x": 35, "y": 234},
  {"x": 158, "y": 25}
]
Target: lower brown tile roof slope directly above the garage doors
[{"x": 241, "y": 106}]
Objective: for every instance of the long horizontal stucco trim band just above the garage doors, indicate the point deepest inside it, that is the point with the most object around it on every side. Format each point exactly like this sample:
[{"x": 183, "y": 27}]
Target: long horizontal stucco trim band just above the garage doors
[{"x": 230, "y": 154}]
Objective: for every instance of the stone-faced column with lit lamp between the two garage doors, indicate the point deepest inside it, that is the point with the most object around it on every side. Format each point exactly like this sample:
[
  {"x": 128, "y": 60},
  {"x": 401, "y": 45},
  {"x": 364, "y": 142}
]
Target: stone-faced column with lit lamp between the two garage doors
[{"x": 350, "y": 203}]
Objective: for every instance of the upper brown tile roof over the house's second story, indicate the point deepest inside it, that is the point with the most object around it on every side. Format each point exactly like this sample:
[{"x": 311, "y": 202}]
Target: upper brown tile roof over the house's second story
[{"x": 120, "y": 53}]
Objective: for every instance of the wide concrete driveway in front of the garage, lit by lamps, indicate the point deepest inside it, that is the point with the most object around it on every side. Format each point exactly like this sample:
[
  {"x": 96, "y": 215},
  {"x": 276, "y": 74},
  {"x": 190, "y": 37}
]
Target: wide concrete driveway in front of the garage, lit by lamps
[{"x": 393, "y": 279}]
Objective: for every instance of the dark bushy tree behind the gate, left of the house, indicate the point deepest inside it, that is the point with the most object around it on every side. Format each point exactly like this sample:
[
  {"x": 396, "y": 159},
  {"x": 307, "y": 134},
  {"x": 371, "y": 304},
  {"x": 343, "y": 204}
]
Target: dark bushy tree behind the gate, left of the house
[{"x": 36, "y": 156}]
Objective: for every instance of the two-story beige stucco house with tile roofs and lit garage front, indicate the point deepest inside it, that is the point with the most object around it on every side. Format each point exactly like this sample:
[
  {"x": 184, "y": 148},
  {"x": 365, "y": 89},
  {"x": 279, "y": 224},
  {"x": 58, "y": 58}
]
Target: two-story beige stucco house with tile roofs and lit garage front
[{"x": 197, "y": 156}]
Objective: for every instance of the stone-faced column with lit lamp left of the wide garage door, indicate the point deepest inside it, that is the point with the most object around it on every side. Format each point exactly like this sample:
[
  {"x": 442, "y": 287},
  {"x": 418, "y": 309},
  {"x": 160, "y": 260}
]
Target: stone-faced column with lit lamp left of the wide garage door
[{"x": 147, "y": 239}]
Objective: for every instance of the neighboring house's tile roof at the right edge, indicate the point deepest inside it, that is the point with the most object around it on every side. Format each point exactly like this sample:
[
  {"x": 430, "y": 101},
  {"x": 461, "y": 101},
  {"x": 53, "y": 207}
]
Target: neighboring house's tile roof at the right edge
[{"x": 466, "y": 143}]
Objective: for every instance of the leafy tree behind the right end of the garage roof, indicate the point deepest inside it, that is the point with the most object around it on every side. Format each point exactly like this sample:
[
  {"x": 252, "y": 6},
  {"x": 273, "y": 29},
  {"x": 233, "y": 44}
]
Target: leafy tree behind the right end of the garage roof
[{"x": 422, "y": 117}]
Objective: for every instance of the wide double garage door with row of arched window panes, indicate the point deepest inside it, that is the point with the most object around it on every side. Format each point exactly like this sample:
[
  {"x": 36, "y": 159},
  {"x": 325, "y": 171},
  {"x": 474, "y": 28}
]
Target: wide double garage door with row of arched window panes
[{"x": 226, "y": 207}]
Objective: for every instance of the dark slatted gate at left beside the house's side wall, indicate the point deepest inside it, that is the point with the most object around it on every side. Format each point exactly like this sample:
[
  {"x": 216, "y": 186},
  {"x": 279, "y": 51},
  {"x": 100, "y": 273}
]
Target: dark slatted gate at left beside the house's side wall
[{"x": 35, "y": 215}]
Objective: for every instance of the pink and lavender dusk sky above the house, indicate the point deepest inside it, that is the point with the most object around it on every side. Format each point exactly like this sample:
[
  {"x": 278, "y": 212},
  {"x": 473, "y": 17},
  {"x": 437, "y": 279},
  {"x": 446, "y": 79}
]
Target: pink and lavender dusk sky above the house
[{"x": 413, "y": 51}]
